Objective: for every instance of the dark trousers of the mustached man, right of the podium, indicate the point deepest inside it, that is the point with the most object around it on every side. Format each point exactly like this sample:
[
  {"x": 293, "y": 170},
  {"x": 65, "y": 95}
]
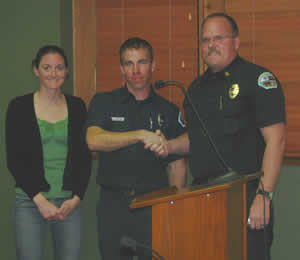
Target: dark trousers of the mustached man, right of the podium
[{"x": 259, "y": 242}]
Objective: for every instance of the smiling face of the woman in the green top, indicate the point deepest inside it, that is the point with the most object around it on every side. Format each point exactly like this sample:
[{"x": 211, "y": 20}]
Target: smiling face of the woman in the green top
[{"x": 52, "y": 71}]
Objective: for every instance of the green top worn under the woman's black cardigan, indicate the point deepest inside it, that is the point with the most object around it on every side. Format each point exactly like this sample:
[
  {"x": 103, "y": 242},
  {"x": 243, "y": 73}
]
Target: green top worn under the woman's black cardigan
[{"x": 55, "y": 147}]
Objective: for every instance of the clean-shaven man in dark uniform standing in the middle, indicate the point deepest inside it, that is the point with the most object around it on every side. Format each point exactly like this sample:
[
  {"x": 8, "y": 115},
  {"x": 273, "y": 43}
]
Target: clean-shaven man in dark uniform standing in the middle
[{"x": 120, "y": 124}]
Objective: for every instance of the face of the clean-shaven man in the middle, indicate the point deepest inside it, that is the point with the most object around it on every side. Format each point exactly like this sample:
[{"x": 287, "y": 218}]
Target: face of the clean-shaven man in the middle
[{"x": 137, "y": 69}]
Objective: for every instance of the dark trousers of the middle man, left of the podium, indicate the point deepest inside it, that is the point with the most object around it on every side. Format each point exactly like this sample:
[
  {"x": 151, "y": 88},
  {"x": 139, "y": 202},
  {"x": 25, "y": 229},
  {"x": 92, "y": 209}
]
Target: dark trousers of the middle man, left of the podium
[{"x": 116, "y": 220}]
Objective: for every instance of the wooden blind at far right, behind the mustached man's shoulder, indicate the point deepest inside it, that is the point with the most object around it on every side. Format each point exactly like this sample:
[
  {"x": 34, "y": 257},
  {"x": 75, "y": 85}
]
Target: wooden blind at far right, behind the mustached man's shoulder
[{"x": 270, "y": 36}]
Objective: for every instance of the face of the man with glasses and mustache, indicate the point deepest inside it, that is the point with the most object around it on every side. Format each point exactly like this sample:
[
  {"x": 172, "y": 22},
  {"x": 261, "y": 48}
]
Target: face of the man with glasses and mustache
[{"x": 218, "y": 45}]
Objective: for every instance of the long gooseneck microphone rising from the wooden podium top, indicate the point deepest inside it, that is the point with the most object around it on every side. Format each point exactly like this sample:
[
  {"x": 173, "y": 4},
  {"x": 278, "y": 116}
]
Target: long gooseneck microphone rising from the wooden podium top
[{"x": 230, "y": 173}]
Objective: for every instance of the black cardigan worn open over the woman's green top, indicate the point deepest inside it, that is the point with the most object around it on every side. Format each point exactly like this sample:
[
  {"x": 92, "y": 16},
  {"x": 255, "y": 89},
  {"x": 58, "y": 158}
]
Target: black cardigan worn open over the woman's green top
[{"x": 24, "y": 147}]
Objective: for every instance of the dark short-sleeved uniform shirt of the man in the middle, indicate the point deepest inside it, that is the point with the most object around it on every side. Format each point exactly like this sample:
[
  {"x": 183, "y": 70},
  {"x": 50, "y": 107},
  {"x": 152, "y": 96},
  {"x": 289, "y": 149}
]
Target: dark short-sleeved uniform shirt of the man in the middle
[{"x": 133, "y": 166}]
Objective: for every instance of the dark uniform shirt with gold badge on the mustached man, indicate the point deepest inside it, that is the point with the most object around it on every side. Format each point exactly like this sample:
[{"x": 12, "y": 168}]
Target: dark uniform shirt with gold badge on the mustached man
[{"x": 233, "y": 104}]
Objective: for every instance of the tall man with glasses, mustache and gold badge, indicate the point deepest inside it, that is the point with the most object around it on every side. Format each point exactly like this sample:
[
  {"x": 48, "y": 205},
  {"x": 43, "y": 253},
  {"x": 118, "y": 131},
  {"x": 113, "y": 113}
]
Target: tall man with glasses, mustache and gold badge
[{"x": 242, "y": 107}]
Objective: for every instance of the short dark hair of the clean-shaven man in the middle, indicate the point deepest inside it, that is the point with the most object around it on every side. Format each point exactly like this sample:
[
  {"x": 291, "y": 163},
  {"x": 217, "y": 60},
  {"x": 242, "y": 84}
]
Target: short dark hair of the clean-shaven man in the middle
[{"x": 136, "y": 43}]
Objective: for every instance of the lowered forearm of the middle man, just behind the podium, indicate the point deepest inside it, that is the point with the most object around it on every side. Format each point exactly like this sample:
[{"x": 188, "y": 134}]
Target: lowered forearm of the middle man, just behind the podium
[{"x": 177, "y": 176}]
